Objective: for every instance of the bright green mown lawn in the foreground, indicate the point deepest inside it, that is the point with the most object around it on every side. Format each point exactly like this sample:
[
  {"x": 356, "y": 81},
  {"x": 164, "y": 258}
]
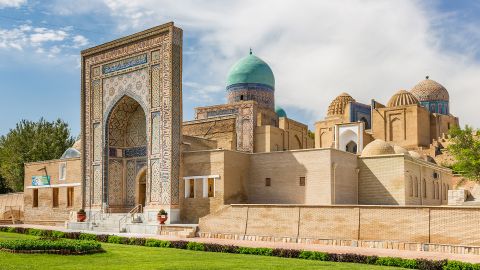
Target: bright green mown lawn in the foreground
[{"x": 137, "y": 257}]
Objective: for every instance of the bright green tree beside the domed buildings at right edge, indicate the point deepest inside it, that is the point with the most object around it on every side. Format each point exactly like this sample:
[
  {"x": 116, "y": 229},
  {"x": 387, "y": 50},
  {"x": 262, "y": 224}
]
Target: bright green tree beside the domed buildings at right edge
[{"x": 465, "y": 148}]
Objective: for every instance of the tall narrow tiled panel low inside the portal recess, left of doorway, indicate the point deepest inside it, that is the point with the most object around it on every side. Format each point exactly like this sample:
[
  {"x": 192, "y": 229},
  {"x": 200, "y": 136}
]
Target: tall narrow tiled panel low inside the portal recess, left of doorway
[{"x": 115, "y": 182}]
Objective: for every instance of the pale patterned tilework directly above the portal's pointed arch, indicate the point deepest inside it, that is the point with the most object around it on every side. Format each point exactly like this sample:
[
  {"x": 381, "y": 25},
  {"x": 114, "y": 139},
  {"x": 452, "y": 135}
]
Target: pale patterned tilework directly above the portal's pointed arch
[{"x": 135, "y": 84}]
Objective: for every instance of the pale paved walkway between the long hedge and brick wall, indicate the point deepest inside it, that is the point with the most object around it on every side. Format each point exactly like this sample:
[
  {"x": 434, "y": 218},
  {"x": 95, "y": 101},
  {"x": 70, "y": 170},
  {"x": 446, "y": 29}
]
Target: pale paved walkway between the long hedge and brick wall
[{"x": 314, "y": 247}]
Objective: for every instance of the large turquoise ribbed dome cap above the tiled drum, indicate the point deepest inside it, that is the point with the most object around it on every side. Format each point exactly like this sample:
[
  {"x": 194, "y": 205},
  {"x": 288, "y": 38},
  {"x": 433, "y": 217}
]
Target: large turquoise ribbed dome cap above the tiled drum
[{"x": 251, "y": 69}]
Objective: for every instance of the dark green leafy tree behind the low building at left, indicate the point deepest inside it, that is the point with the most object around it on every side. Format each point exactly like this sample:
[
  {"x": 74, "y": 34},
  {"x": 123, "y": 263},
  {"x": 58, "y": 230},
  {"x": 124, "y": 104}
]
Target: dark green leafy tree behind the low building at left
[{"x": 31, "y": 141}]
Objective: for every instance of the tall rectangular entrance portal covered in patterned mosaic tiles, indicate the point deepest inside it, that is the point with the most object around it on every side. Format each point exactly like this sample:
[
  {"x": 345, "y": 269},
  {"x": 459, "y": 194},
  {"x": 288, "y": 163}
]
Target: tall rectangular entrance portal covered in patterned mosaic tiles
[{"x": 131, "y": 123}]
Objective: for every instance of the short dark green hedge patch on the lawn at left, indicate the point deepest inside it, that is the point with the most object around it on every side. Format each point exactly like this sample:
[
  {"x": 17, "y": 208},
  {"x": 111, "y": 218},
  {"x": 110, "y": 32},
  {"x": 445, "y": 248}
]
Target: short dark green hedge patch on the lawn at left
[{"x": 62, "y": 246}]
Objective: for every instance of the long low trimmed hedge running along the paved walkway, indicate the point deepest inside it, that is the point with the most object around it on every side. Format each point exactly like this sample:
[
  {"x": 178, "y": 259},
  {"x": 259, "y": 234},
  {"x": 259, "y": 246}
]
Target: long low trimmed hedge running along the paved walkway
[{"x": 87, "y": 239}]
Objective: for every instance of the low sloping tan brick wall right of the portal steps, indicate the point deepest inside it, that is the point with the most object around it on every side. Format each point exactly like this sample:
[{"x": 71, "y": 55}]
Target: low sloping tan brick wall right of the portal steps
[{"x": 438, "y": 225}]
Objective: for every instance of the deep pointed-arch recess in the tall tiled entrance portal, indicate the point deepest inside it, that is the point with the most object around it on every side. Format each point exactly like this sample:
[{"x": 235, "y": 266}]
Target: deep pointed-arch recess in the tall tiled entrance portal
[{"x": 126, "y": 145}]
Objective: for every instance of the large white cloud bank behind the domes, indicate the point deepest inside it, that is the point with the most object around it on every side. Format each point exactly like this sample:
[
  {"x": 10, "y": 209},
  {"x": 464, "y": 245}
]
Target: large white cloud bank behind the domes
[{"x": 318, "y": 49}]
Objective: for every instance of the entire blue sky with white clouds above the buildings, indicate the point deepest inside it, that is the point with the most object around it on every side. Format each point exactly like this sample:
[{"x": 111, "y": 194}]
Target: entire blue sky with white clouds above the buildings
[{"x": 316, "y": 49}]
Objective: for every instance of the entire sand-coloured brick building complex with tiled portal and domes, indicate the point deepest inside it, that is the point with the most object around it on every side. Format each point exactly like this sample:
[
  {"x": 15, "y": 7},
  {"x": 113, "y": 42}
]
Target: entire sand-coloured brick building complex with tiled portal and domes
[{"x": 137, "y": 153}]
